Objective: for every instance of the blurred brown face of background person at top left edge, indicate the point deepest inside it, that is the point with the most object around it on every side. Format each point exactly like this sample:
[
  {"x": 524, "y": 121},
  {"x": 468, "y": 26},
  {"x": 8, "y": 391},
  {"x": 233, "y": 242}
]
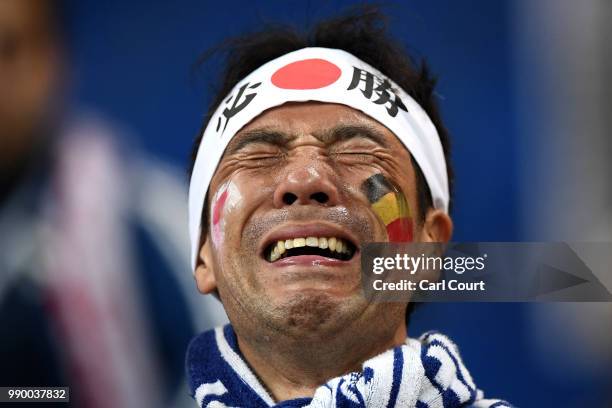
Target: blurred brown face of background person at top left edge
[{"x": 30, "y": 73}]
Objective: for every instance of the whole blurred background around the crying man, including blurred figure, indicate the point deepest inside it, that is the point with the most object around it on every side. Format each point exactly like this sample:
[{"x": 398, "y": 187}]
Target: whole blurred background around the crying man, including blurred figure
[{"x": 99, "y": 104}]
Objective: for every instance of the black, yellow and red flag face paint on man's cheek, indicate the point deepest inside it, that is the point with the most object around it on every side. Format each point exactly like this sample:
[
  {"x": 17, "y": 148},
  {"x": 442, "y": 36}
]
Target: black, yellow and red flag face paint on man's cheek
[{"x": 390, "y": 205}]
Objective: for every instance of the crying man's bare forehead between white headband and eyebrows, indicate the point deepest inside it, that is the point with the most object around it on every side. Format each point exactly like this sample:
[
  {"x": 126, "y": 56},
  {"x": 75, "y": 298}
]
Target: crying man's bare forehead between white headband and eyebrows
[{"x": 312, "y": 117}]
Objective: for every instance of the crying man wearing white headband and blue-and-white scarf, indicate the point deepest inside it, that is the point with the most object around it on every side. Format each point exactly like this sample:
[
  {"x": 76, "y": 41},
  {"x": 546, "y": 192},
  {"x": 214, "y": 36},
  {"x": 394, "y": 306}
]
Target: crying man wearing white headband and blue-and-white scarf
[{"x": 314, "y": 146}]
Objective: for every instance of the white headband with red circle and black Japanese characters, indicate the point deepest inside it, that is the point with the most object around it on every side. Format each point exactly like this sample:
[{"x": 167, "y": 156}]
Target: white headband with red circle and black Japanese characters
[{"x": 324, "y": 75}]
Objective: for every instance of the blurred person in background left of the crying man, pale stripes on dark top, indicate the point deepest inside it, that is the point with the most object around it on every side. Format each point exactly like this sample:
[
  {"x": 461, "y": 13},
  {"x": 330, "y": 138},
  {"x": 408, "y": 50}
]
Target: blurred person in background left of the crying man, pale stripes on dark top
[{"x": 88, "y": 231}]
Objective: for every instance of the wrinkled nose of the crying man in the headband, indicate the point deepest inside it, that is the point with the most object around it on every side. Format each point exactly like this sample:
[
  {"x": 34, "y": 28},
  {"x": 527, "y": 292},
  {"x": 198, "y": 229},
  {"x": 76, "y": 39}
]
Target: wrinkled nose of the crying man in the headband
[{"x": 307, "y": 183}]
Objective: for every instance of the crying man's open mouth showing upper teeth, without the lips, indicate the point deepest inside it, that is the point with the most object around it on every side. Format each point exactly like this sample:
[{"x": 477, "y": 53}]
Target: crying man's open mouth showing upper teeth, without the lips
[{"x": 328, "y": 247}]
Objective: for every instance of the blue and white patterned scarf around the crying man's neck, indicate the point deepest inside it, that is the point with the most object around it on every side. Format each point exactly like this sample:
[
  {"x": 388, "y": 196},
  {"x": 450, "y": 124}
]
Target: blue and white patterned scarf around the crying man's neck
[{"x": 423, "y": 373}]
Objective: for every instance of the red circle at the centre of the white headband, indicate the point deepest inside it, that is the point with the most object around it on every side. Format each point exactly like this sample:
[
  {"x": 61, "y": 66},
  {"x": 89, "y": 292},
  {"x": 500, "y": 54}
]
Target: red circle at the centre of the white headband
[{"x": 306, "y": 74}]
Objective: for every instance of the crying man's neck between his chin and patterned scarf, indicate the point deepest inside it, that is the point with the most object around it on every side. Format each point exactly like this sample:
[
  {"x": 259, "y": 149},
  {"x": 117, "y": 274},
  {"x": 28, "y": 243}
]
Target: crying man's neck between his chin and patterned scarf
[{"x": 294, "y": 369}]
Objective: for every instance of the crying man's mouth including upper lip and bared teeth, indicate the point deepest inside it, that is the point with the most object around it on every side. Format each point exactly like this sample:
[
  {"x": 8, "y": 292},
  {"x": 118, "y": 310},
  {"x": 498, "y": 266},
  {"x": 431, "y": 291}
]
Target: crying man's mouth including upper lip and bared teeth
[{"x": 313, "y": 240}]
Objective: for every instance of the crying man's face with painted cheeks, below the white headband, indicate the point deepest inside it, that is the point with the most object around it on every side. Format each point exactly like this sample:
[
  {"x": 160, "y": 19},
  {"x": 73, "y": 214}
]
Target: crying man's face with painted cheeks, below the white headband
[{"x": 297, "y": 176}]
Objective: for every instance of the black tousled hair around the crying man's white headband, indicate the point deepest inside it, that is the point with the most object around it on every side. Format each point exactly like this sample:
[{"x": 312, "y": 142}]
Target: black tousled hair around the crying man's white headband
[{"x": 361, "y": 32}]
